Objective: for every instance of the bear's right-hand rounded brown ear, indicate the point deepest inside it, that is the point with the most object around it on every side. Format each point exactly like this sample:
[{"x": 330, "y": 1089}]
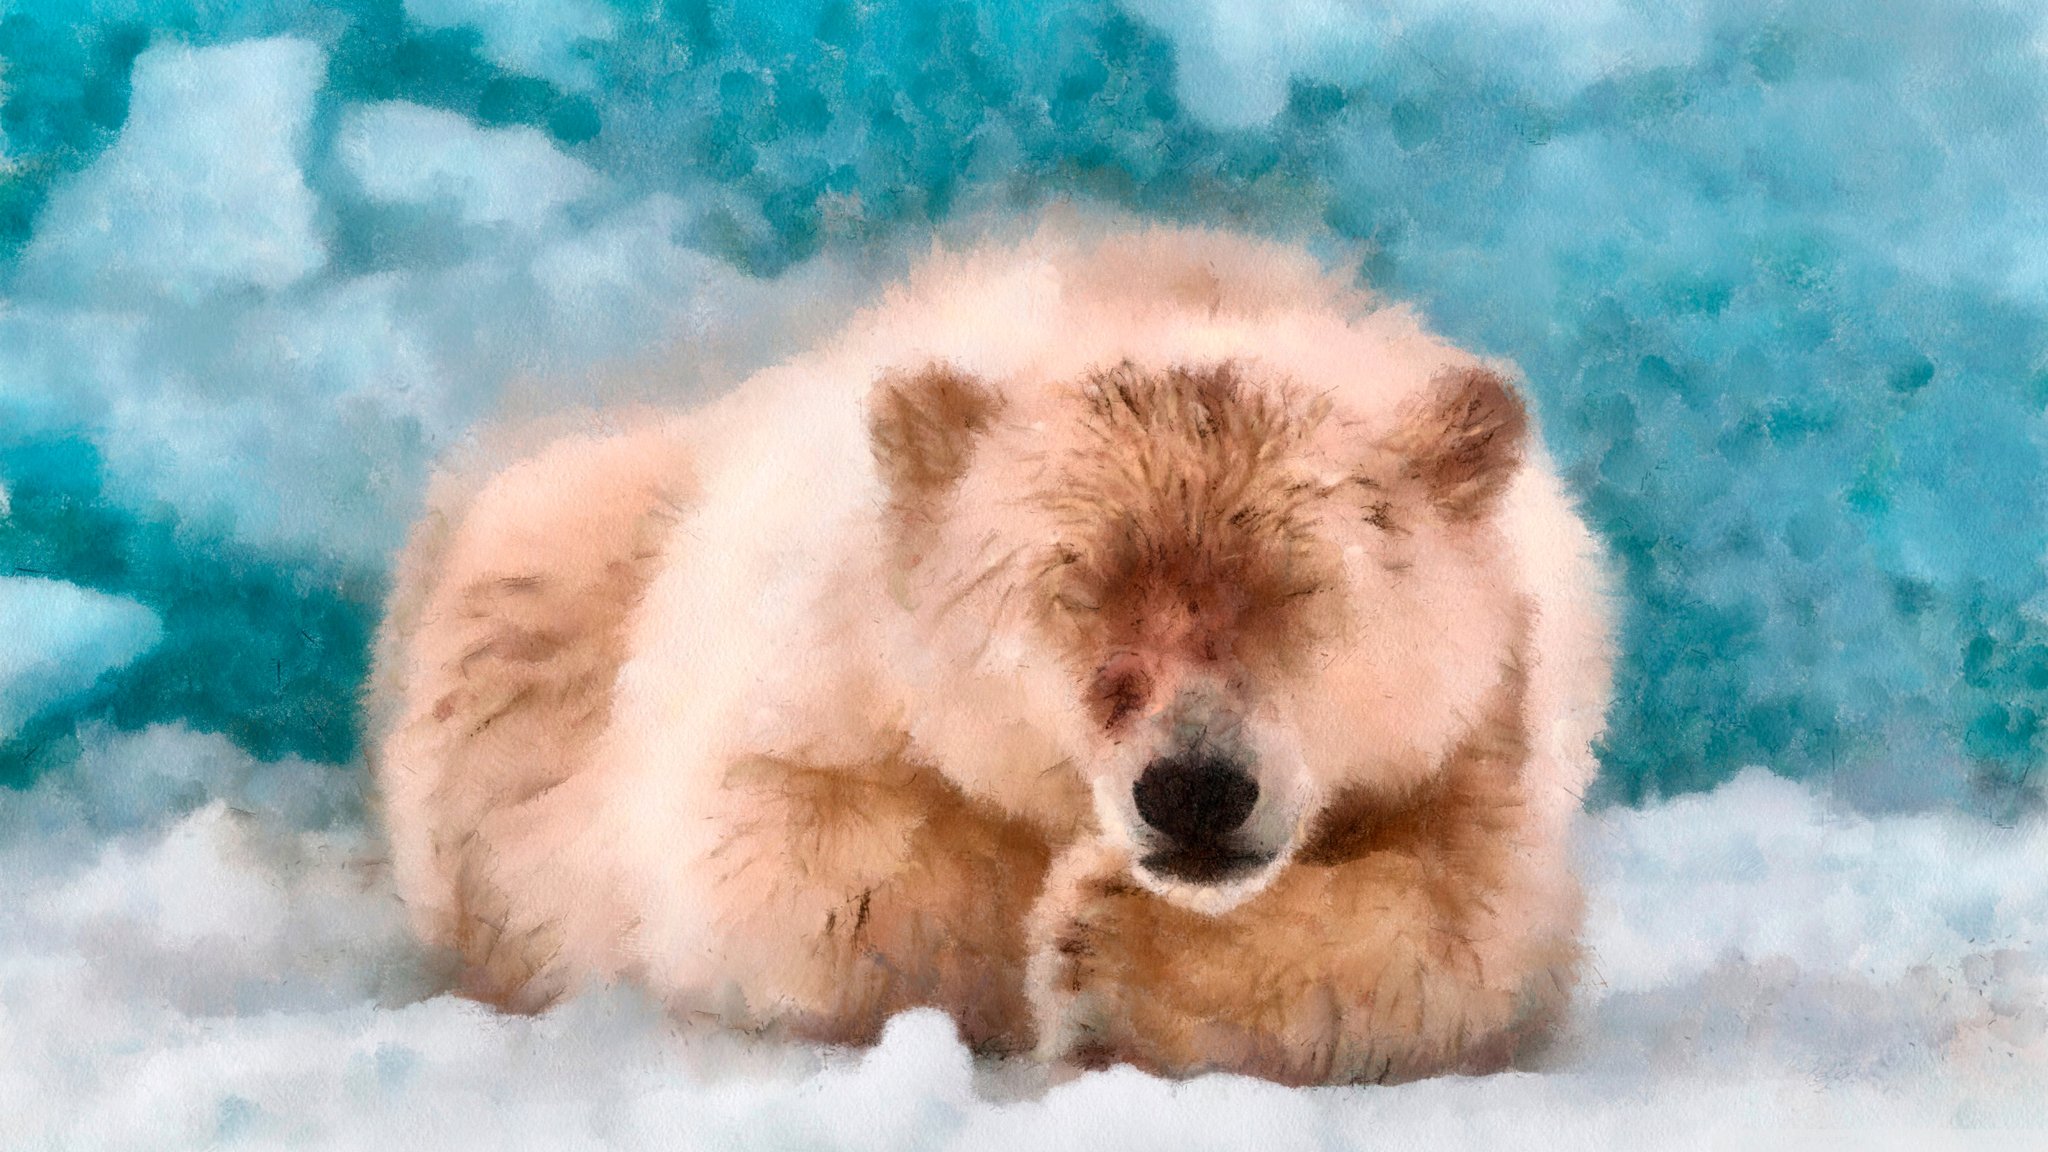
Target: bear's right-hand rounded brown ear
[{"x": 1463, "y": 442}]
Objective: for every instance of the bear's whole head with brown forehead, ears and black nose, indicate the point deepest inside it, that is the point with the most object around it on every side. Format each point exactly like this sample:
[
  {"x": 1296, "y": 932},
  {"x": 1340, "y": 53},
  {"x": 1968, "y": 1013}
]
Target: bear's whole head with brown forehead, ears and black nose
[{"x": 1228, "y": 606}]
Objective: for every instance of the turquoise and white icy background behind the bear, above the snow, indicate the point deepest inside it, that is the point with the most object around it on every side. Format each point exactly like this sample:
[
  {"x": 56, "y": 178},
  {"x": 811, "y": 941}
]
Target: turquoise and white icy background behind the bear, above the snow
[{"x": 1777, "y": 276}]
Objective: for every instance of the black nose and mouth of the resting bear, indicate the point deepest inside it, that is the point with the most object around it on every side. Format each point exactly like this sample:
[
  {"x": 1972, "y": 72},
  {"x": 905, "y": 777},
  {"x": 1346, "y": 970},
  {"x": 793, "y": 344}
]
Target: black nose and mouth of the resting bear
[{"x": 1195, "y": 803}]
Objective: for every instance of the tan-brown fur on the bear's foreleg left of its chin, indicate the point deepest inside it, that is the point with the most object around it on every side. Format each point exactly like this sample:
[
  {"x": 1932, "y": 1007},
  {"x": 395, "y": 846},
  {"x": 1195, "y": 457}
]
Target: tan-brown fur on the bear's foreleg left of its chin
[{"x": 923, "y": 893}]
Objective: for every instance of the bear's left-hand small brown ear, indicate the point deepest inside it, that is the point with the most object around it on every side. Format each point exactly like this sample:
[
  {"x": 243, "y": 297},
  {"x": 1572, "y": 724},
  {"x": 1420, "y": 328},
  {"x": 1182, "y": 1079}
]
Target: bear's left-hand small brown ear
[{"x": 925, "y": 425}]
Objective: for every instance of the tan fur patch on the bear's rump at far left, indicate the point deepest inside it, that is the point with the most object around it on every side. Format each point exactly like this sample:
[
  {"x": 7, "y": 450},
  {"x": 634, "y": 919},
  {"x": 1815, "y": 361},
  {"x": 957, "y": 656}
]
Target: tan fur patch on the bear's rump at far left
[{"x": 523, "y": 659}]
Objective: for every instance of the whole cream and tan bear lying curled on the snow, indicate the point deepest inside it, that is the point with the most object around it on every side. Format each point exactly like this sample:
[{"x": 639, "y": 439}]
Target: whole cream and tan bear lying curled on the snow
[{"x": 1138, "y": 643}]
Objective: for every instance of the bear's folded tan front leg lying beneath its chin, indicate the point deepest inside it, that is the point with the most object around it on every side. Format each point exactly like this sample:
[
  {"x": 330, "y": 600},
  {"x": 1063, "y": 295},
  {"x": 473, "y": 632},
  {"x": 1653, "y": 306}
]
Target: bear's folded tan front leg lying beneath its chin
[{"x": 1334, "y": 975}]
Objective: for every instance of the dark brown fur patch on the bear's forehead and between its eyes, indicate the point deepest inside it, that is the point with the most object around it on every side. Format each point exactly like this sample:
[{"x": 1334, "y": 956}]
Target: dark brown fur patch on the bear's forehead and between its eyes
[{"x": 1183, "y": 524}]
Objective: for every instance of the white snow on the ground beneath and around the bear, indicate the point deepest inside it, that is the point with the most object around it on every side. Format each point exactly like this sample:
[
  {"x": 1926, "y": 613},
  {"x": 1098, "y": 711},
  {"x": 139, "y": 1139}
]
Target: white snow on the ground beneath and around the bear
[{"x": 1764, "y": 960}]
